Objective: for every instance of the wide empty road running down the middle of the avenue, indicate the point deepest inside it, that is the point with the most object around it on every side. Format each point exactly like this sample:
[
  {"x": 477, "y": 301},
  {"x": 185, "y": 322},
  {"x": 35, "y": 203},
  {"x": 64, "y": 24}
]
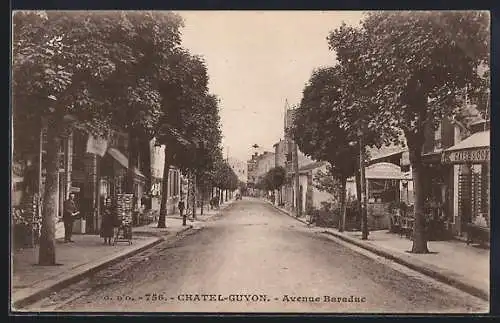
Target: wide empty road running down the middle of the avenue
[{"x": 255, "y": 250}]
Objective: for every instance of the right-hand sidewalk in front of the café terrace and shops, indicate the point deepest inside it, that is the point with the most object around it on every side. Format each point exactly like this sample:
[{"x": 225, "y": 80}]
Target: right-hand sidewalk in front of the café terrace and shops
[{"x": 452, "y": 262}]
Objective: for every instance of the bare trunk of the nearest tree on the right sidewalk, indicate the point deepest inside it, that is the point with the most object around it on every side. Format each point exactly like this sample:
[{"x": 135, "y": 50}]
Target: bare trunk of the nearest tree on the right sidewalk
[{"x": 419, "y": 237}]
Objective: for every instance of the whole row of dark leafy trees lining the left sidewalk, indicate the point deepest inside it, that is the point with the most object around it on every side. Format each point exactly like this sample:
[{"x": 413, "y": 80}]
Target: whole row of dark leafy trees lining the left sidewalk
[{"x": 105, "y": 71}]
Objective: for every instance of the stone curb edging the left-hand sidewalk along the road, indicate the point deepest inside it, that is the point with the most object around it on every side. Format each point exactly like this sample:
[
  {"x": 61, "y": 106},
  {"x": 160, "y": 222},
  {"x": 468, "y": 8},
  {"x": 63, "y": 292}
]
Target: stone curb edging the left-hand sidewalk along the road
[{"x": 44, "y": 292}]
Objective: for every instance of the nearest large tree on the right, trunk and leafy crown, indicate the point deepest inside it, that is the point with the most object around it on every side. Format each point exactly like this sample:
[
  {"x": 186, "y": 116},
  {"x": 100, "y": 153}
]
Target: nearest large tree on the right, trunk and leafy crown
[{"x": 414, "y": 66}]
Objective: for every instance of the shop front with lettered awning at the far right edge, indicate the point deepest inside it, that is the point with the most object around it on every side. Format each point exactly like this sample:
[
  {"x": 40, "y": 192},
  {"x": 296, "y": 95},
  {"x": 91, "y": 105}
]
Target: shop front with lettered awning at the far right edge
[{"x": 471, "y": 159}]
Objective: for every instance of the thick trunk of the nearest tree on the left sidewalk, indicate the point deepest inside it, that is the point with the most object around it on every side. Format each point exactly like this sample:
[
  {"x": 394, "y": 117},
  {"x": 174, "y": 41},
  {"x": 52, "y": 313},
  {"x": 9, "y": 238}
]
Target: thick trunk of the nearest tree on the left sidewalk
[{"x": 47, "y": 252}]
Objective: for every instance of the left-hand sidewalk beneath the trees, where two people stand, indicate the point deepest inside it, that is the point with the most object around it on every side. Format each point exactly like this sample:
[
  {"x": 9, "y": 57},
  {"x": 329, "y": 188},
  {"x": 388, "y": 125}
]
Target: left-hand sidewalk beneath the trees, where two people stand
[{"x": 86, "y": 255}]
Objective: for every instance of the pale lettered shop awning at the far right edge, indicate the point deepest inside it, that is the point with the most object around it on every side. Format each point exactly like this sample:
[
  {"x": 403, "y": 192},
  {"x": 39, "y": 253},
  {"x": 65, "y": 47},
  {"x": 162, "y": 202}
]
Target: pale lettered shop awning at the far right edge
[{"x": 474, "y": 149}]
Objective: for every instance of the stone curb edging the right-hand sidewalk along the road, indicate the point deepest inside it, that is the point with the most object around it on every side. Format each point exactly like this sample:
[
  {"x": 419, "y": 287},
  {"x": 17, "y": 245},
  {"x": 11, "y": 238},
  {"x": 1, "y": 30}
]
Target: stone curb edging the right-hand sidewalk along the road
[{"x": 433, "y": 273}]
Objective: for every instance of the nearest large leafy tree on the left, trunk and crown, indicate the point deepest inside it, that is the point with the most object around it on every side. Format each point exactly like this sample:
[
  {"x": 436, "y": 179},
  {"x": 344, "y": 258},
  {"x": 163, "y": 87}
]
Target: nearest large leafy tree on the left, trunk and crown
[{"x": 79, "y": 70}]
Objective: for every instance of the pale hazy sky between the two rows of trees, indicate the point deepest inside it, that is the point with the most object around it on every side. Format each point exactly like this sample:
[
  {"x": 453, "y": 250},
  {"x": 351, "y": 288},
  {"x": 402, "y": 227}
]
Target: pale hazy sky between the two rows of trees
[{"x": 256, "y": 60}]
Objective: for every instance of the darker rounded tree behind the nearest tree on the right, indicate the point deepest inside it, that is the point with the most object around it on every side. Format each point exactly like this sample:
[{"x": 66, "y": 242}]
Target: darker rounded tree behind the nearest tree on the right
[{"x": 327, "y": 123}]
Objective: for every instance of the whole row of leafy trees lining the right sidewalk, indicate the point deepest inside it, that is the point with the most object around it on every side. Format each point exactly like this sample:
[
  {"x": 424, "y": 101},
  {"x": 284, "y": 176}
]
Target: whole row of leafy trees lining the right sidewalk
[{"x": 398, "y": 74}]
